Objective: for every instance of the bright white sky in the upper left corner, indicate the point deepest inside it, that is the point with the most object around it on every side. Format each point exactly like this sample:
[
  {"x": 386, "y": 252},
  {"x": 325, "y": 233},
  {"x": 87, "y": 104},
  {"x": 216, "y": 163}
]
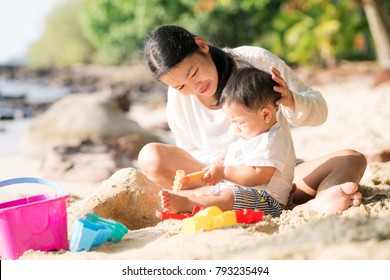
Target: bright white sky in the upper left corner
[{"x": 21, "y": 23}]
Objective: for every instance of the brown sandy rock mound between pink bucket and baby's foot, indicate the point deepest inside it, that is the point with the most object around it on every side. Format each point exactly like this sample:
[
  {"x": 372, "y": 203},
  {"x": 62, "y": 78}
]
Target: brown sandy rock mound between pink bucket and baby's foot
[{"x": 128, "y": 197}]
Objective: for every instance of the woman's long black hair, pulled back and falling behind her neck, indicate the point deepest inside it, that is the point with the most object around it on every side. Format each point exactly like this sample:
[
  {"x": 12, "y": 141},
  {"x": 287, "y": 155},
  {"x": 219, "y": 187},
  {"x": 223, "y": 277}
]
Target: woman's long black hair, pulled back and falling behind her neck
[{"x": 168, "y": 45}]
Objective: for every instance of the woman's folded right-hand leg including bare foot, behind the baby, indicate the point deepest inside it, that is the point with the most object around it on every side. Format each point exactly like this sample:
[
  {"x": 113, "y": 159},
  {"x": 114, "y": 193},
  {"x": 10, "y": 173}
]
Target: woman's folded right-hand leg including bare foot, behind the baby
[{"x": 329, "y": 183}]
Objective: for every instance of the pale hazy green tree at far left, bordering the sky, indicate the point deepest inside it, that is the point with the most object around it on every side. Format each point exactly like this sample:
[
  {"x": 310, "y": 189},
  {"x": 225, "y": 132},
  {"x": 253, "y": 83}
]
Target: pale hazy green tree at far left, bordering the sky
[{"x": 63, "y": 42}]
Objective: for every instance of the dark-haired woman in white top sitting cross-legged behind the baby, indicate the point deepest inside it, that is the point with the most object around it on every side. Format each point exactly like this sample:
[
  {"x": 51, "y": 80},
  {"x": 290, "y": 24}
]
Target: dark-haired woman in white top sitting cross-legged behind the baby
[{"x": 196, "y": 74}]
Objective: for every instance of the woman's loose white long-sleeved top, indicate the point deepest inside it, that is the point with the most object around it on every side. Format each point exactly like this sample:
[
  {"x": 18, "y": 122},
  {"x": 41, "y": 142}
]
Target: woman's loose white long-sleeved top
[{"x": 206, "y": 133}]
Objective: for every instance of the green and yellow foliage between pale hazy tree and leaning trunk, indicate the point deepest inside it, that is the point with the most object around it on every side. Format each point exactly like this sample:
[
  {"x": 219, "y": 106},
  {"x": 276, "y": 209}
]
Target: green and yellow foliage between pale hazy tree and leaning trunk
[{"x": 300, "y": 31}]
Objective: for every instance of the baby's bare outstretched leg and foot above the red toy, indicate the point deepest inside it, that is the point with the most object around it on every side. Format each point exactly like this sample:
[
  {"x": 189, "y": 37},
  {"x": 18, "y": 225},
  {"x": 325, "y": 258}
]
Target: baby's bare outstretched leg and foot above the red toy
[{"x": 177, "y": 203}]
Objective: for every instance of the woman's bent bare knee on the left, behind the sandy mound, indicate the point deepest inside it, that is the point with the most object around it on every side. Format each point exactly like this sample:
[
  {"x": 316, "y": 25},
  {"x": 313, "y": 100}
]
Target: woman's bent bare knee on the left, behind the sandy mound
[{"x": 159, "y": 162}]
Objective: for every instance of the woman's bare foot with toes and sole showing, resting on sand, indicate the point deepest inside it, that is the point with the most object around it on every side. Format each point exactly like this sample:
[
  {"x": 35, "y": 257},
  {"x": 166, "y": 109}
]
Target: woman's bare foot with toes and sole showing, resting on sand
[{"x": 335, "y": 199}]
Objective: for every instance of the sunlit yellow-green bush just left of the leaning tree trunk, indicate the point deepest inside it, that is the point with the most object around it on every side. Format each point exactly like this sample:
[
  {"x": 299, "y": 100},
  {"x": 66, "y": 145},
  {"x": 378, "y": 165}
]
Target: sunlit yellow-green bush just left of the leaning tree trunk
[{"x": 317, "y": 31}]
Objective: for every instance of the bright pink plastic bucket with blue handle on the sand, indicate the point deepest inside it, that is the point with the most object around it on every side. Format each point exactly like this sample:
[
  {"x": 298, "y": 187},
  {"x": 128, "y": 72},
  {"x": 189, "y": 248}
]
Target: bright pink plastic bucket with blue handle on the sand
[{"x": 37, "y": 222}]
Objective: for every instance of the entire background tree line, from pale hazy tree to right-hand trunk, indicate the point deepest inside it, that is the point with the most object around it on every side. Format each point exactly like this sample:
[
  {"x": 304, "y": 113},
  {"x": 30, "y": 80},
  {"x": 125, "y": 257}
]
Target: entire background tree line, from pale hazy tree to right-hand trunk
[{"x": 311, "y": 32}]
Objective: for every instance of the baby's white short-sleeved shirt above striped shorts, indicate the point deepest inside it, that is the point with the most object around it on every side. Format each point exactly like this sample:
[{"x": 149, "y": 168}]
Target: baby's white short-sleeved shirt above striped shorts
[{"x": 272, "y": 148}]
